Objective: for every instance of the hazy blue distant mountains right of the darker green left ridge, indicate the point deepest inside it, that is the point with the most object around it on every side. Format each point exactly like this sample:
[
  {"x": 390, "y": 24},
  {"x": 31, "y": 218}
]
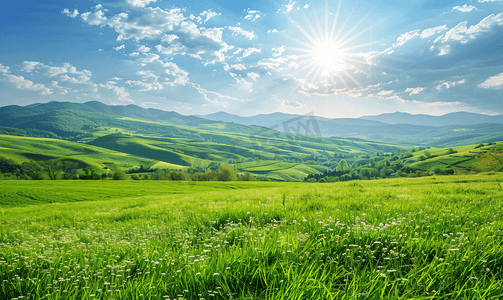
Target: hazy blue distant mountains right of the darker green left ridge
[{"x": 456, "y": 128}]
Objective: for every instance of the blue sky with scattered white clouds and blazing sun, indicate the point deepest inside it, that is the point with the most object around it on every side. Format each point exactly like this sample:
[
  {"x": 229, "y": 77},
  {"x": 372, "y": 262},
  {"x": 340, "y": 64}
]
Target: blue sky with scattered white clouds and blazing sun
[{"x": 332, "y": 58}]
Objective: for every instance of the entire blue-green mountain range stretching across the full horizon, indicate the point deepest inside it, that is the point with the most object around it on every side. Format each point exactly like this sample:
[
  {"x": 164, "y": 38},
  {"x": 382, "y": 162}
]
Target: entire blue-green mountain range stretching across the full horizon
[{"x": 73, "y": 120}]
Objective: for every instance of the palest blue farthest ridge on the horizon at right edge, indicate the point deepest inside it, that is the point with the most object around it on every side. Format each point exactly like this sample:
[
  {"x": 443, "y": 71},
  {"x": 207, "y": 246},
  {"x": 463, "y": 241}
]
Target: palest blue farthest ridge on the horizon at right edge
[{"x": 457, "y": 118}]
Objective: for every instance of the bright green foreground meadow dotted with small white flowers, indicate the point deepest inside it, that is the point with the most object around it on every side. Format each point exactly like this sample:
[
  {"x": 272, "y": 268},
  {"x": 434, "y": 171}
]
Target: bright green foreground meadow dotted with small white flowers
[{"x": 415, "y": 238}]
